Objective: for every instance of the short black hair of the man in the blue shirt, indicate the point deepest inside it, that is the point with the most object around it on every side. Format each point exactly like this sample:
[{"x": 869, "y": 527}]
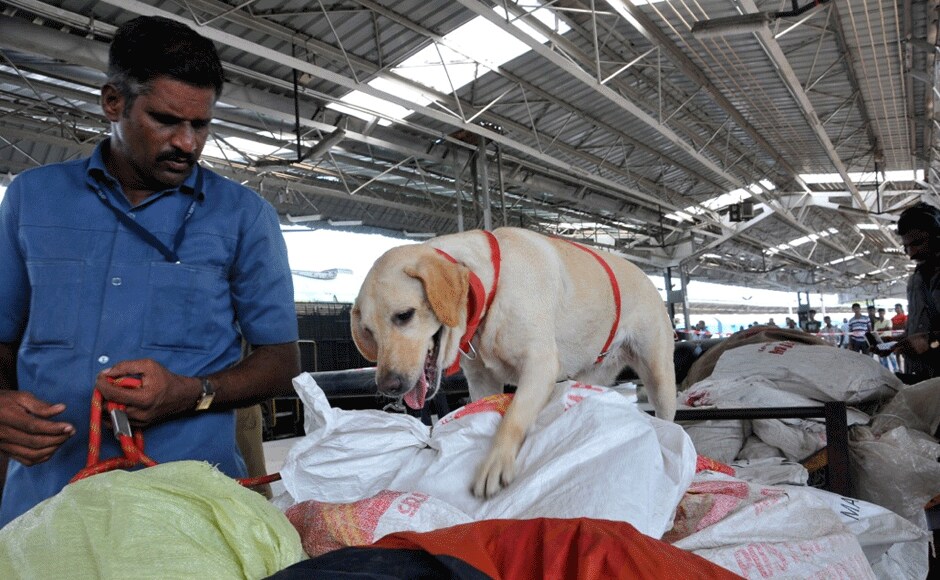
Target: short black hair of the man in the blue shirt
[{"x": 149, "y": 47}]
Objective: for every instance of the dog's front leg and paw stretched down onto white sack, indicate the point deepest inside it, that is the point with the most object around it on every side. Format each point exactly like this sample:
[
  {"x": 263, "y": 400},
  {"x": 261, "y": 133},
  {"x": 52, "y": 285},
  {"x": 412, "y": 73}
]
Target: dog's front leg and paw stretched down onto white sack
[{"x": 535, "y": 387}]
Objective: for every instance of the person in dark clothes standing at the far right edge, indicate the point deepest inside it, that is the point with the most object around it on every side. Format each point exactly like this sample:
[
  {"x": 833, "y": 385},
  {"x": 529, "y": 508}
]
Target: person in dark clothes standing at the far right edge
[{"x": 919, "y": 229}]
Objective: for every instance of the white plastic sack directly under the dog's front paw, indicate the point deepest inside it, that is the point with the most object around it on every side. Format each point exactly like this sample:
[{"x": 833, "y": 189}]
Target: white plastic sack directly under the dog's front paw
[{"x": 591, "y": 453}]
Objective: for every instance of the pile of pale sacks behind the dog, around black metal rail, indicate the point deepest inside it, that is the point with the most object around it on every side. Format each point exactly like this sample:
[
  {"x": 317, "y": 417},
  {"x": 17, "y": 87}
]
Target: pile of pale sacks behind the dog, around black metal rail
[{"x": 893, "y": 451}]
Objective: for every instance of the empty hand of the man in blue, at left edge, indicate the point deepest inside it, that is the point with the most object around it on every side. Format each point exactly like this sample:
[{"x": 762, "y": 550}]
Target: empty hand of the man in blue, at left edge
[{"x": 27, "y": 433}]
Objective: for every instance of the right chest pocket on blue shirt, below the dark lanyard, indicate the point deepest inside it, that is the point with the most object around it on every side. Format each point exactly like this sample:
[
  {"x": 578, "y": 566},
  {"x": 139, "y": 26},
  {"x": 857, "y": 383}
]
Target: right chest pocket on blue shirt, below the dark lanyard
[{"x": 183, "y": 308}]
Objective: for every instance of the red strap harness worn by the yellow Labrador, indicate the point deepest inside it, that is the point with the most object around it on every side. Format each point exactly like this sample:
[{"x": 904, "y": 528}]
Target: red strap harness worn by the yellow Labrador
[{"x": 478, "y": 302}]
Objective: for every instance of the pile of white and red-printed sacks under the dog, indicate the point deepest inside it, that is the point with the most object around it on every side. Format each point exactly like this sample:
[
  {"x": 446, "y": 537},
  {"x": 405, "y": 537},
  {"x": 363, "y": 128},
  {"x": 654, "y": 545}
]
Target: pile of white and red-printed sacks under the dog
[{"x": 360, "y": 476}]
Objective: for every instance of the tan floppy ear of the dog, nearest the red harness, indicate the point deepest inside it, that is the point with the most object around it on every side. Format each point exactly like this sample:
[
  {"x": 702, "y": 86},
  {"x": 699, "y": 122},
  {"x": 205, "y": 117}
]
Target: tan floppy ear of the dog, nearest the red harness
[{"x": 446, "y": 285}]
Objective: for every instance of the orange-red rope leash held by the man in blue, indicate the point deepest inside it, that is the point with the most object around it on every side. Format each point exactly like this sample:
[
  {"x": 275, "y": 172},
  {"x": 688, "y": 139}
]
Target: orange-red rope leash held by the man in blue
[{"x": 132, "y": 444}]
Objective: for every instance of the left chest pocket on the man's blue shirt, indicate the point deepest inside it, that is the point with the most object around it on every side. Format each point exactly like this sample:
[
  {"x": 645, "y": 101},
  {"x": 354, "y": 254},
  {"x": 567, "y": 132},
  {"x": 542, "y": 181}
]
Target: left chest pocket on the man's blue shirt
[{"x": 55, "y": 292}]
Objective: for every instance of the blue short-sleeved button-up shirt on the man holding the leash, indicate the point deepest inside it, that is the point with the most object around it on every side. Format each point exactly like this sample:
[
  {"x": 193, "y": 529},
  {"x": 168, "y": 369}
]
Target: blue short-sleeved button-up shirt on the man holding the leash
[{"x": 82, "y": 292}]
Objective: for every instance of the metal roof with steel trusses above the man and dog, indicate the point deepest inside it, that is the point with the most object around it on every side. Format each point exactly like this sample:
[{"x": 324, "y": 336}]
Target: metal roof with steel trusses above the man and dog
[{"x": 601, "y": 132}]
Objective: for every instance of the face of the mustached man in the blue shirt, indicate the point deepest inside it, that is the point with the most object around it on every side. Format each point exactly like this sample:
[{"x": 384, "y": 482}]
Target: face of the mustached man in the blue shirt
[{"x": 158, "y": 139}]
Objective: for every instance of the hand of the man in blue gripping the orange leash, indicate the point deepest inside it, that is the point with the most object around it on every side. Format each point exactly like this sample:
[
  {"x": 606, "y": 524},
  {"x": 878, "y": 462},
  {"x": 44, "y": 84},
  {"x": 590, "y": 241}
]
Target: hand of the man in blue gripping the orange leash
[{"x": 161, "y": 393}]
